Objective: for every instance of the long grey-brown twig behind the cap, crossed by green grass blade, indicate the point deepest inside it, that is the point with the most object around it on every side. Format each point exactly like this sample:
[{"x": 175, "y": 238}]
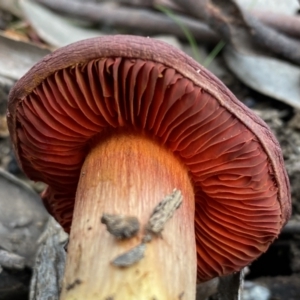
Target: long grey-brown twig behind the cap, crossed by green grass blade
[{"x": 131, "y": 18}]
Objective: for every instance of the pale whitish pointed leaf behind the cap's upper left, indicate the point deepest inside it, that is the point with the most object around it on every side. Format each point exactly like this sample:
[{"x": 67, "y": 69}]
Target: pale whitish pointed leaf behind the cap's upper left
[{"x": 53, "y": 28}]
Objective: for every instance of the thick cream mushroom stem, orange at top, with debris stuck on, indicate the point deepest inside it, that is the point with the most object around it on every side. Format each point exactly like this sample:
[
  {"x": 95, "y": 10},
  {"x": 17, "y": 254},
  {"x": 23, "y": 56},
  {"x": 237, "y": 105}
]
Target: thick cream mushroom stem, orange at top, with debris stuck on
[{"x": 129, "y": 175}]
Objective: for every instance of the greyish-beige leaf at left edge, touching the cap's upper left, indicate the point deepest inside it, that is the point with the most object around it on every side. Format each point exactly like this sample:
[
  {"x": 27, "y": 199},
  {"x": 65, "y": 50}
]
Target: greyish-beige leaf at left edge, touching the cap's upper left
[{"x": 17, "y": 57}]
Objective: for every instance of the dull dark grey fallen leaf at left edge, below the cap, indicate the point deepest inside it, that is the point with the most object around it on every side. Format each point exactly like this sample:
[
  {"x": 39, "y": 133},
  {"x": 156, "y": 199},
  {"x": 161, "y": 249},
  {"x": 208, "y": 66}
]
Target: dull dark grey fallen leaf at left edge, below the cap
[{"x": 22, "y": 217}]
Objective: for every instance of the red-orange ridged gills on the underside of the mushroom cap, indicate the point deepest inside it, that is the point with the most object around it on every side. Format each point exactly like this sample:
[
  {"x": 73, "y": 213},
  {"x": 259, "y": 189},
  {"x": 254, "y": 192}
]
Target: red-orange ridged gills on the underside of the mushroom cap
[{"x": 237, "y": 210}]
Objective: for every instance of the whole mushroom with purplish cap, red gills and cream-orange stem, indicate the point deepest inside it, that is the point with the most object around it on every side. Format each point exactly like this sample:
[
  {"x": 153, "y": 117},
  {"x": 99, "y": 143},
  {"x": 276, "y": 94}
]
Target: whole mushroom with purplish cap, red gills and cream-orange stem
[{"x": 113, "y": 125}]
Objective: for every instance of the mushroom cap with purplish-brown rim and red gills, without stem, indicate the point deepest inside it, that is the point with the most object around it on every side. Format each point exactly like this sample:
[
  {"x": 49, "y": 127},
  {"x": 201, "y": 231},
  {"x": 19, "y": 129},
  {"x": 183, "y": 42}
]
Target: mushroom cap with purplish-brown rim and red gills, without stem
[{"x": 80, "y": 91}]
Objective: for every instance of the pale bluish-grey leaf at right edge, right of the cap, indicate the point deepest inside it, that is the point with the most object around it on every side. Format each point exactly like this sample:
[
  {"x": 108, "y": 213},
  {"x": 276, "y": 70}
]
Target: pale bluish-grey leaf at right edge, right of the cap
[{"x": 272, "y": 77}]
